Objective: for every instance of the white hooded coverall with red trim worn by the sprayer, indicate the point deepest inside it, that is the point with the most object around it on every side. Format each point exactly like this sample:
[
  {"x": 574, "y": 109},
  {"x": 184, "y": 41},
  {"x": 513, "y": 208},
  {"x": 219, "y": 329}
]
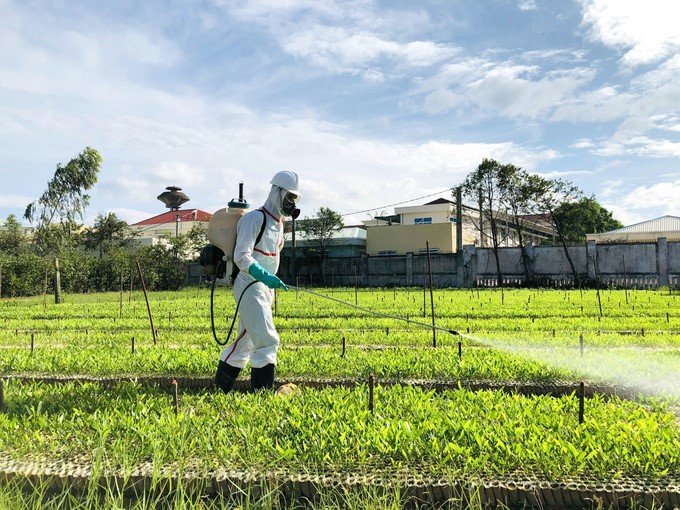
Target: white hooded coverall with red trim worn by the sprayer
[{"x": 257, "y": 339}]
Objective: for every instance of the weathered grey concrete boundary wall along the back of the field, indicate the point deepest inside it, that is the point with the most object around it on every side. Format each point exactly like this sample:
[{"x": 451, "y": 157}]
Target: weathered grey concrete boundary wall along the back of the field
[{"x": 633, "y": 265}]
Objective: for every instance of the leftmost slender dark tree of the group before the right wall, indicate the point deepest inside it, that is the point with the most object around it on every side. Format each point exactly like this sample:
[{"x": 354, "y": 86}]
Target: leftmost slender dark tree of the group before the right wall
[{"x": 484, "y": 185}]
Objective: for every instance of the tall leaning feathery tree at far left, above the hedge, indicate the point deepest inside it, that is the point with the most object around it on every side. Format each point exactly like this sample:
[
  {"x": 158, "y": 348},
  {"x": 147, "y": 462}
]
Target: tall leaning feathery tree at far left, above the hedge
[{"x": 64, "y": 199}]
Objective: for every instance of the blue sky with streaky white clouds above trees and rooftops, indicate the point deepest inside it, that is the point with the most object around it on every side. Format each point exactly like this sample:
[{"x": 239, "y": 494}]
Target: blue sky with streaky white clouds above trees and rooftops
[{"x": 374, "y": 103}]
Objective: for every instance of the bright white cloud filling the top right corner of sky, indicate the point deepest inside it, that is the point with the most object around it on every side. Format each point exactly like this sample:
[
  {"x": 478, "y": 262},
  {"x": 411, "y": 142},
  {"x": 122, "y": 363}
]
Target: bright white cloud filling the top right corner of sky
[{"x": 644, "y": 31}]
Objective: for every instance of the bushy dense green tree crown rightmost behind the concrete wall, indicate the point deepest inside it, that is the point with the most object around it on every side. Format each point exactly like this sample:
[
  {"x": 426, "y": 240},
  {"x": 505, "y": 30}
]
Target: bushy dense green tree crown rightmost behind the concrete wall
[{"x": 585, "y": 216}]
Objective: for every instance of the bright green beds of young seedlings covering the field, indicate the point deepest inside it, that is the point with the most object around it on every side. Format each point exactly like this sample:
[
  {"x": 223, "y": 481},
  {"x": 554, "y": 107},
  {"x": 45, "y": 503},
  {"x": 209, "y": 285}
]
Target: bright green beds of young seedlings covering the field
[{"x": 451, "y": 434}]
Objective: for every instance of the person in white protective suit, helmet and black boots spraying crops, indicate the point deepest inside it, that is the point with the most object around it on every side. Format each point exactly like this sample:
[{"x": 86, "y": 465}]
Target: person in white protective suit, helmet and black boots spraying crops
[{"x": 257, "y": 340}]
